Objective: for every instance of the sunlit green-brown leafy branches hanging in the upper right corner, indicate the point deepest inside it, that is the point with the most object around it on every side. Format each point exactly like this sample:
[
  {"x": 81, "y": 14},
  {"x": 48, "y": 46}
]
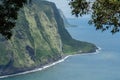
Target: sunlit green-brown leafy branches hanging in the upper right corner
[{"x": 105, "y": 13}]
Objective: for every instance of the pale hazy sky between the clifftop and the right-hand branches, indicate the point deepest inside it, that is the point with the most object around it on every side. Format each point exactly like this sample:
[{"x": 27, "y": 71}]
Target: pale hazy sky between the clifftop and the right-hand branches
[{"x": 63, "y": 5}]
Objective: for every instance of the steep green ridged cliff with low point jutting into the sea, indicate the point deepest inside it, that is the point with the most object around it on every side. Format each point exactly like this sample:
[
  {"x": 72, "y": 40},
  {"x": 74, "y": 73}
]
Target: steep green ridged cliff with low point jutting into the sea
[{"x": 38, "y": 39}]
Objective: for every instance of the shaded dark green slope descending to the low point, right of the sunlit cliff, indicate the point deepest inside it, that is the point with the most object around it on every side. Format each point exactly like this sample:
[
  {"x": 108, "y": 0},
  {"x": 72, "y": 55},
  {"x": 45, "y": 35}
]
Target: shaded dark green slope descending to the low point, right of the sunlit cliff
[{"x": 71, "y": 45}]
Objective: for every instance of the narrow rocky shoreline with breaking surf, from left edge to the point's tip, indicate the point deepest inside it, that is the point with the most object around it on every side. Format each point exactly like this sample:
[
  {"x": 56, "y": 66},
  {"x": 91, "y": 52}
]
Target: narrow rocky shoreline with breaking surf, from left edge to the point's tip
[{"x": 39, "y": 68}]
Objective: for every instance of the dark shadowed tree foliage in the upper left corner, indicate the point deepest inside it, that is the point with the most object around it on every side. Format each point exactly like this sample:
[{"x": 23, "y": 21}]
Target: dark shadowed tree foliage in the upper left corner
[{"x": 8, "y": 15}]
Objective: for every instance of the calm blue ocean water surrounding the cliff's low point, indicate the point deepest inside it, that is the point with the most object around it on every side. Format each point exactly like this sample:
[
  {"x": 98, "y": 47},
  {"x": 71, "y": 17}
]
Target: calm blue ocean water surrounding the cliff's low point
[{"x": 102, "y": 66}]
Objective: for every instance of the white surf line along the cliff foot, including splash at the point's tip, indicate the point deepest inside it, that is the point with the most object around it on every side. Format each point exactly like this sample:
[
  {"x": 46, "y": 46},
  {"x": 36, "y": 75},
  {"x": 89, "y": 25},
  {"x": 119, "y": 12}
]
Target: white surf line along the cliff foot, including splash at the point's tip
[{"x": 46, "y": 66}]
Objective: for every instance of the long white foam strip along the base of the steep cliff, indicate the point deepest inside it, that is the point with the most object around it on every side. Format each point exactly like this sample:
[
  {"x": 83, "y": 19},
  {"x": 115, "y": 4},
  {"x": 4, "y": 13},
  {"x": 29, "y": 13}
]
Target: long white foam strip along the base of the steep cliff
[{"x": 37, "y": 69}]
